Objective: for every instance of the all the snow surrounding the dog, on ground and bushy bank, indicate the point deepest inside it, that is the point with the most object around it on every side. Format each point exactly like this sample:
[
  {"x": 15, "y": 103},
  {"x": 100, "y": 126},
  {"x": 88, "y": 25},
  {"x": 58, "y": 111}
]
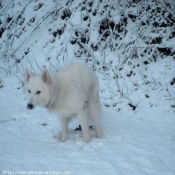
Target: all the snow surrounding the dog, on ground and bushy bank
[{"x": 136, "y": 89}]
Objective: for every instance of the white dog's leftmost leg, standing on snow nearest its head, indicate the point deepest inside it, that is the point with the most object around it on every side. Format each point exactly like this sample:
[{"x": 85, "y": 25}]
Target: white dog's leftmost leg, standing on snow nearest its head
[{"x": 64, "y": 125}]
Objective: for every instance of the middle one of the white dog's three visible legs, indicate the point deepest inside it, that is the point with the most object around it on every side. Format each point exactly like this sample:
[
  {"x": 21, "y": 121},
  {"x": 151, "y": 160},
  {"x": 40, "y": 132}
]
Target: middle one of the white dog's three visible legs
[{"x": 82, "y": 116}]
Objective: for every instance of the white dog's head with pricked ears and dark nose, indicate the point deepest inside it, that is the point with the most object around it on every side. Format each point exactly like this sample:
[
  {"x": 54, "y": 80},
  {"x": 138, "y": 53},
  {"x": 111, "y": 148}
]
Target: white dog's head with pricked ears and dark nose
[{"x": 37, "y": 90}]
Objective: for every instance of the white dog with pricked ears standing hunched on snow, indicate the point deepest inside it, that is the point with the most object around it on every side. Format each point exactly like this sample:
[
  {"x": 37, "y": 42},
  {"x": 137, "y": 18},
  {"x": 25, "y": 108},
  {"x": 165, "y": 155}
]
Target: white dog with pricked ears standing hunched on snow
[{"x": 71, "y": 92}]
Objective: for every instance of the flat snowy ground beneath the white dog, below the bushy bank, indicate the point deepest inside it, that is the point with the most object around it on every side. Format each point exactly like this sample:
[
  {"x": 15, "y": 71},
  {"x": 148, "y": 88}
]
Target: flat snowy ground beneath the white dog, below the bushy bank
[{"x": 143, "y": 143}]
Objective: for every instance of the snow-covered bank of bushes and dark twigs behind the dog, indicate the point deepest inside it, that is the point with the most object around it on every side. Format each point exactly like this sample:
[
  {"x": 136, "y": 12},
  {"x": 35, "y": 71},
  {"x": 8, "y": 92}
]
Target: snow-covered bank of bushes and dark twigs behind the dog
[{"x": 119, "y": 39}]
